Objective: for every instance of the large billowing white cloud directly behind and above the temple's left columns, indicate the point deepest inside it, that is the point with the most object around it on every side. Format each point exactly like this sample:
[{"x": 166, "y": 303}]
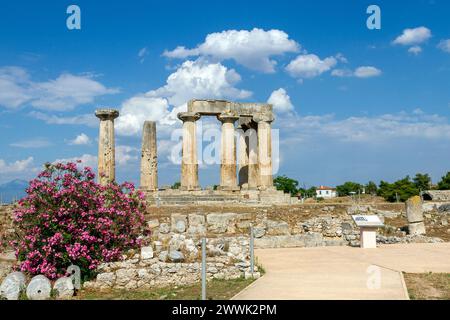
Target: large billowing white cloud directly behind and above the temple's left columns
[{"x": 193, "y": 79}]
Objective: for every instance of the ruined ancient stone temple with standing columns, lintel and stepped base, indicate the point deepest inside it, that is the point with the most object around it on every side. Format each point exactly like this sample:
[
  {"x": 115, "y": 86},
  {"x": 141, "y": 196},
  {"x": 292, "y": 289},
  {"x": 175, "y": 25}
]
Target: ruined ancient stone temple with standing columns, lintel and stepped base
[{"x": 245, "y": 174}]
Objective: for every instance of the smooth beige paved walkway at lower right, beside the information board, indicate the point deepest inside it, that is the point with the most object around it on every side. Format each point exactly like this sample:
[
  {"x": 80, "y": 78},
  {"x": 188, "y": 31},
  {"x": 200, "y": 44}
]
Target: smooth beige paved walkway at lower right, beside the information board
[{"x": 343, "y": 272}]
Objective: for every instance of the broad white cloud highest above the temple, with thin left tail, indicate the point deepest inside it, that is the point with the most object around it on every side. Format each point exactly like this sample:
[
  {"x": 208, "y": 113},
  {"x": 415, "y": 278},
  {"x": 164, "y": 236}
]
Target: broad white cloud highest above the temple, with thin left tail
[{"x": 252, "y": 49}]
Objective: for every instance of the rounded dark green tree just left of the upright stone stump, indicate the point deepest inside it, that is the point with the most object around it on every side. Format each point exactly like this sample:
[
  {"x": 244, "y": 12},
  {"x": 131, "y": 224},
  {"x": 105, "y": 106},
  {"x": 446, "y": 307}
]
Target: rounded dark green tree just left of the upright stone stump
[{"x": 402, "y": 190}]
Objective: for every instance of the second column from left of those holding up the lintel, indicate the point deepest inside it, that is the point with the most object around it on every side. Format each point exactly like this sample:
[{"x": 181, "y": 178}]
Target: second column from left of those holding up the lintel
[{"x": 228, "y": 179}]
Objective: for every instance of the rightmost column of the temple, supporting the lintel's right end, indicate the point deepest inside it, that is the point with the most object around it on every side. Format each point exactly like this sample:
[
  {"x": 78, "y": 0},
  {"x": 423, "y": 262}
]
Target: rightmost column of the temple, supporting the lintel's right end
[{"x": 264, "y": 151}]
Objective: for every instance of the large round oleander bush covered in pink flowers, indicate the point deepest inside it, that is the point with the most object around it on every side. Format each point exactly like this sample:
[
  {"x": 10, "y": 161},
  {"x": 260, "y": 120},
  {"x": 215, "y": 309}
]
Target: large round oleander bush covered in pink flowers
[{"x": 67, "y": 218}]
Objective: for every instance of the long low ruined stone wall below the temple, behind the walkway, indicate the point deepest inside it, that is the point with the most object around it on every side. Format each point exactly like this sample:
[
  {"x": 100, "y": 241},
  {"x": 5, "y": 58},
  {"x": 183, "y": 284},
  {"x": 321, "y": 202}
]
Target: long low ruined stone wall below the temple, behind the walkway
[{"x": 295, "y": 226}]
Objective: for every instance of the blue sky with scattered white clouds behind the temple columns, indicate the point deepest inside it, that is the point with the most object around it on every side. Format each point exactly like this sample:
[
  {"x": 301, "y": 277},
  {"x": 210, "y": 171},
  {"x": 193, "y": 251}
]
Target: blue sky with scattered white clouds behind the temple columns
[{"x": 351, "y": 103}]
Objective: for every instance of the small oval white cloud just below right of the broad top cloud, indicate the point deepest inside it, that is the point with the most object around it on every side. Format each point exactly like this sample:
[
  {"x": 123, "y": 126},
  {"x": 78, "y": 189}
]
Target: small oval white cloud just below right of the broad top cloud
[{"x": 310, "y": 66}]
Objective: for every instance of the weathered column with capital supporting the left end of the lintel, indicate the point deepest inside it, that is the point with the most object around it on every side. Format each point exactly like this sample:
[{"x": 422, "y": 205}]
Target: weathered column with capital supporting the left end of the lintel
[{"x": 189, "y": 163}]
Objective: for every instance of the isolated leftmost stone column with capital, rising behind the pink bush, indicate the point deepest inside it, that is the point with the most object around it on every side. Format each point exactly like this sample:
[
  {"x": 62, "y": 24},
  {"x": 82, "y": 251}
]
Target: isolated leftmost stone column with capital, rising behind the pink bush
[{"x": 106, "y": 149}]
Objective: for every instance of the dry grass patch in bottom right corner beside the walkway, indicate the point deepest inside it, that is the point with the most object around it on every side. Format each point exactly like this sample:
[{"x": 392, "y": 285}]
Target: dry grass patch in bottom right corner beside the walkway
[{"x": 428, "y": 286}]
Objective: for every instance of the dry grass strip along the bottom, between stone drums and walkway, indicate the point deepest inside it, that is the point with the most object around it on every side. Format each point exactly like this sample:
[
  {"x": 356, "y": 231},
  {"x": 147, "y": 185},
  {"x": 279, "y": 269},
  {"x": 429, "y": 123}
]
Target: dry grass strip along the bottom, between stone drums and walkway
[{"x": 215, "y": 290}]
